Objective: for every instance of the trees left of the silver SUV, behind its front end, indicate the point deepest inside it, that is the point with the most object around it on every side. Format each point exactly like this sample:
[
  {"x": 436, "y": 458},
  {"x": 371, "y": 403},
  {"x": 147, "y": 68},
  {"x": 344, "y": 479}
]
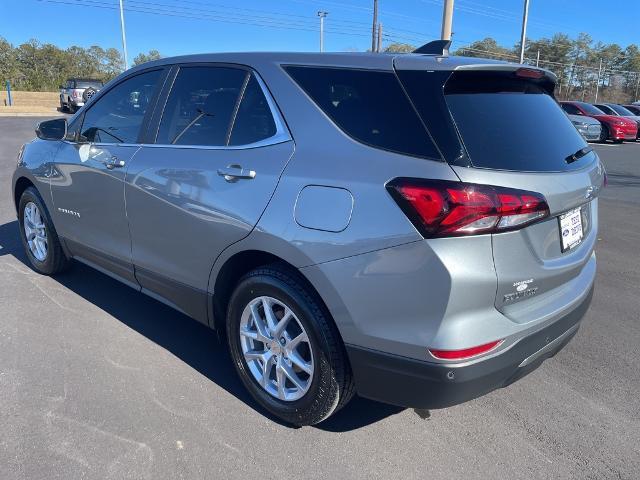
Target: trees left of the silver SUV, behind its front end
[{"x": 35, "y": 66}]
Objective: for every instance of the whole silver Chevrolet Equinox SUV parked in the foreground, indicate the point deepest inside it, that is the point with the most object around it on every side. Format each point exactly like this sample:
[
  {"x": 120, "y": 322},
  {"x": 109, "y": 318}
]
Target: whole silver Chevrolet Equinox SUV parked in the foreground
[{"x": 418, "y": 229}]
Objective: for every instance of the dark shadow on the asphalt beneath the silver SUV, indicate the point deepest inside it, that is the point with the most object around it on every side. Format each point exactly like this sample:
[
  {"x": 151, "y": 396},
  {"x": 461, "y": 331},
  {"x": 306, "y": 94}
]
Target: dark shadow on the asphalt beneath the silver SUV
[{"x": 190, "y": 341}]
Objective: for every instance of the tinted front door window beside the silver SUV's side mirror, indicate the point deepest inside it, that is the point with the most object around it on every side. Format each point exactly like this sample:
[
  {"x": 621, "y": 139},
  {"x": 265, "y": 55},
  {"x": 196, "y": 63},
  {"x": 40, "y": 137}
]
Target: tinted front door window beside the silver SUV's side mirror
[{"x": 118, "y": 115}]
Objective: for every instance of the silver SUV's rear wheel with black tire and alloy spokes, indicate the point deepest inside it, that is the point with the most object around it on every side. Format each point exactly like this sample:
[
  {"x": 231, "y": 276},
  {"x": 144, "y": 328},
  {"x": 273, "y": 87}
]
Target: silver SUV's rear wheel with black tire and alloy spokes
[{"x": 329, "y": 386}]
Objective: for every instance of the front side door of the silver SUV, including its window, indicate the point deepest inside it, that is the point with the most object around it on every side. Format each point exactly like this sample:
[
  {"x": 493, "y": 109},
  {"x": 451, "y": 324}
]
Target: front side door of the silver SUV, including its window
[{"x": 88, "y": 181}]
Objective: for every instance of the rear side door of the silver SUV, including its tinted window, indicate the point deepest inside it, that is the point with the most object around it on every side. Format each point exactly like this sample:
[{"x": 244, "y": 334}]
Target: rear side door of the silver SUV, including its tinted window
[{"x": 220, "y": 147}]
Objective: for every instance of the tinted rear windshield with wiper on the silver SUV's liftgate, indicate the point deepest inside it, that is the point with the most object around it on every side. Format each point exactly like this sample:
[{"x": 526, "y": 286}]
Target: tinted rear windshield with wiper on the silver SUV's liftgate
[{"x": 509, "y": 123}]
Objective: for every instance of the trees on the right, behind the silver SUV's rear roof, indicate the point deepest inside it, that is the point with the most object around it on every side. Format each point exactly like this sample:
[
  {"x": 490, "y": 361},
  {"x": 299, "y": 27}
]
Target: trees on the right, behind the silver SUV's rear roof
[{"x": 581, "y": 64}]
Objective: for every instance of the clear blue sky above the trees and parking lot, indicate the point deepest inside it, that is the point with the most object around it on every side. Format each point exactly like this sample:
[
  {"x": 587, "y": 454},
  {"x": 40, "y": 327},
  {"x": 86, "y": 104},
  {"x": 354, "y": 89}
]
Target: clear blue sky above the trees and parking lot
[{"x": 190, "y": 26}]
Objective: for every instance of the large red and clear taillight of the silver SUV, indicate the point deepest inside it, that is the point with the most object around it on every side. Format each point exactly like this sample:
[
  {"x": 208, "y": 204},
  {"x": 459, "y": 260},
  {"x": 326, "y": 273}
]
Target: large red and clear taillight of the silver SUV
[{"x": 440, "y": 208}]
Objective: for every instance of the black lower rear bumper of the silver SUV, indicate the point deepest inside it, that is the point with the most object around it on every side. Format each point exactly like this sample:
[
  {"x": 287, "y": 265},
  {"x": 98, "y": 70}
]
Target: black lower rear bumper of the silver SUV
[{"x": 416, "y": 384}]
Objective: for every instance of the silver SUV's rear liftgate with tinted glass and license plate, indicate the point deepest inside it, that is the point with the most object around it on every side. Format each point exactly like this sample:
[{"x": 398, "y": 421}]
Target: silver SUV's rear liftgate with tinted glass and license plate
[{"x": 511, "y": 133}]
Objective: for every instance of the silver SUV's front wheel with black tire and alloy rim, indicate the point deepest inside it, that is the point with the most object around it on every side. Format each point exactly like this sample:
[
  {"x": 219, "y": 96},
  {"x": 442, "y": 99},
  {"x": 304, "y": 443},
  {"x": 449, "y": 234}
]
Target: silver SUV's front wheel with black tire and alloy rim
[{"x": 54, "y": 260}]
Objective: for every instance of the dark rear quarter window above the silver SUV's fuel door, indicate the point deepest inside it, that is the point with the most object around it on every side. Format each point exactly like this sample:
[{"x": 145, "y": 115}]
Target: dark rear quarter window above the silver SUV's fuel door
[{"x": 370, "y": 106}]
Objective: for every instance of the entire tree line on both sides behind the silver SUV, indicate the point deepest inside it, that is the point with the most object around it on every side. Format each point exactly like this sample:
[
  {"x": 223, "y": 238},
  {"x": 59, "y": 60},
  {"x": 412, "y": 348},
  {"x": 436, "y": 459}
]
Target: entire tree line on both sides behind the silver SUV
[{"x": 582, "y": 65}]
